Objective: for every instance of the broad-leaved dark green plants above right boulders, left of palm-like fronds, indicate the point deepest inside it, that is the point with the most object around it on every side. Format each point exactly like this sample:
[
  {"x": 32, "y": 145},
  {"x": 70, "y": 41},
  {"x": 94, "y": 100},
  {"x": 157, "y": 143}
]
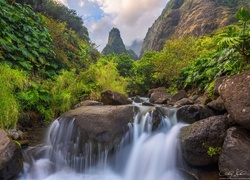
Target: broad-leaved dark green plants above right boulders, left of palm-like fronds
[{"x": 206, "y": 69}]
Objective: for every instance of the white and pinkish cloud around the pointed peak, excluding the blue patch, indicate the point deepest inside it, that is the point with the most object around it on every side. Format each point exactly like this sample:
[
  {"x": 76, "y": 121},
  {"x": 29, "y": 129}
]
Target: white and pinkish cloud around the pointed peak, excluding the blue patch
[{"x": 132, "y": 18}]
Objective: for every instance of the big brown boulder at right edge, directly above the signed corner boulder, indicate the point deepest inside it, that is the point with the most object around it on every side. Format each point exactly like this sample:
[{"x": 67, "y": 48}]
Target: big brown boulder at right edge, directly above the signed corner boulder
[{"x": 235, "y": 93}]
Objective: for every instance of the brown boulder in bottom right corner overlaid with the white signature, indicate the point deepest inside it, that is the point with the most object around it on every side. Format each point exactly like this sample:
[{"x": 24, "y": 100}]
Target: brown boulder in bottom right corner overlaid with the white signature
[{"x": 234, "y": 160}]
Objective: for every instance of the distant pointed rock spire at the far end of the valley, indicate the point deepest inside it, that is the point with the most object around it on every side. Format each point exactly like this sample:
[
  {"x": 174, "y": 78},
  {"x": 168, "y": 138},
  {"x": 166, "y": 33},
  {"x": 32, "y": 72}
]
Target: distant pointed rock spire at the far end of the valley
[{"x": 116, "y": 45}]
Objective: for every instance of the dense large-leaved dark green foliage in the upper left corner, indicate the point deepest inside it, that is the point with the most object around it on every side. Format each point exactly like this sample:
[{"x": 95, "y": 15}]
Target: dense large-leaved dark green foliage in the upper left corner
[{"x": 24, "y": 40}]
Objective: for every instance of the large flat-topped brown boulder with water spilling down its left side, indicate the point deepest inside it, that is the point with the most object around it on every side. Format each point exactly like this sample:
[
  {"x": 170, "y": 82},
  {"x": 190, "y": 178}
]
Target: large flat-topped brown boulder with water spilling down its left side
[{"x": 100, "y": 125}]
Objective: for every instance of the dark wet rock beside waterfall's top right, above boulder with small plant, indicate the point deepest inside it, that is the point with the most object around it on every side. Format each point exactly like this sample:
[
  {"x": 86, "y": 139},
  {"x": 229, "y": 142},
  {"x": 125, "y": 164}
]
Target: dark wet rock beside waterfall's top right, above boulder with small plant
[{"x": 192, "y": 113}]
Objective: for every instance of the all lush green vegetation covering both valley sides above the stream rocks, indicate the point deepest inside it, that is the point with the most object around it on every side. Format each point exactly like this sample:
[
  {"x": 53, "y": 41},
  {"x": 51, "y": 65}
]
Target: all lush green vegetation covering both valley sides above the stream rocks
[{"x": 47, "y": 64}]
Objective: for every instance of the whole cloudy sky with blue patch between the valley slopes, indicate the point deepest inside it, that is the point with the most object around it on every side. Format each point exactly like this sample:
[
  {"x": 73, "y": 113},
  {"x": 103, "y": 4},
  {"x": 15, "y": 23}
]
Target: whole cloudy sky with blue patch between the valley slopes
[{"x": 131, "y": 17}]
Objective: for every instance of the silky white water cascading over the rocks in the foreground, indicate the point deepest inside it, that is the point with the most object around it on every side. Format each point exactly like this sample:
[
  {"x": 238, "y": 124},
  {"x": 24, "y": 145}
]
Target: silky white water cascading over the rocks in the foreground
[{"x": 145, "y": 153}]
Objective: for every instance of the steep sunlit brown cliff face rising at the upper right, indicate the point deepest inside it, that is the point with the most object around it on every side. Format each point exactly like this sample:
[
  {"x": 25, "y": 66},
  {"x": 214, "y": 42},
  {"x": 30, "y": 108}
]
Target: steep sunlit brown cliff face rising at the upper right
[{"x": 190, "y": 18}]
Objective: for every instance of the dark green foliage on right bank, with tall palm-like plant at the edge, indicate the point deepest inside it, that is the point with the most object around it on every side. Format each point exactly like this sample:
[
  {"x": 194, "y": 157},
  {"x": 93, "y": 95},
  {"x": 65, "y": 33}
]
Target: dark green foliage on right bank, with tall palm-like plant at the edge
[{"x": 231, "y": 57}]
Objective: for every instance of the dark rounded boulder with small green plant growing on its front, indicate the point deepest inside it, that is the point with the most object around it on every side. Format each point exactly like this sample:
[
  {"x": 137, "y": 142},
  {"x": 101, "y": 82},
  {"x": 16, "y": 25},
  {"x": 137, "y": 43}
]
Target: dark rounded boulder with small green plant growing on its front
[{"x": 201, "y": 141}]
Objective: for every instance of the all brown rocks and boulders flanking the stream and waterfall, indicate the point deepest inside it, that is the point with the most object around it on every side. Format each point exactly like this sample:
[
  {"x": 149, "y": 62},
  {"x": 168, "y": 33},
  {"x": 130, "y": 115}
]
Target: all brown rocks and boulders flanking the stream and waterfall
[{"x": 216, "y": 141}]
